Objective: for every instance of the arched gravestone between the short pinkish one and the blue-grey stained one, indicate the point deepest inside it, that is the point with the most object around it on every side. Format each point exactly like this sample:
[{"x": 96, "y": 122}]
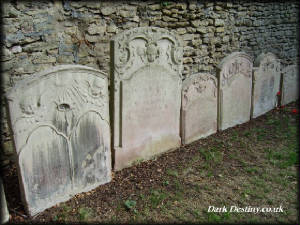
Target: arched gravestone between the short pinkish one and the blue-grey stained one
[{"x": 235, "y": 87}]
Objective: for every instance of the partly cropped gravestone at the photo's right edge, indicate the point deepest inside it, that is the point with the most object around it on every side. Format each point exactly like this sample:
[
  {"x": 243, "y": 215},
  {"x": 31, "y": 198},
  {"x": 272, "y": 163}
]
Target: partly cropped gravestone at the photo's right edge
[{"x": 290, "y": 84}]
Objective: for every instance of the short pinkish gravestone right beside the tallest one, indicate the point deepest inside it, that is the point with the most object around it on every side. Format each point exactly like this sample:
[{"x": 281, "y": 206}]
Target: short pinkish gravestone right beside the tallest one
[{"x": 199, "y": 107}]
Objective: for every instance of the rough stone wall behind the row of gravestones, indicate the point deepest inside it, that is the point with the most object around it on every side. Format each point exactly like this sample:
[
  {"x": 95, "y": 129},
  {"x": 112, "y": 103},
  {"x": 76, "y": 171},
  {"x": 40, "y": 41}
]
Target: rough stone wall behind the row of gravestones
[{"x": 40, "y": 34}]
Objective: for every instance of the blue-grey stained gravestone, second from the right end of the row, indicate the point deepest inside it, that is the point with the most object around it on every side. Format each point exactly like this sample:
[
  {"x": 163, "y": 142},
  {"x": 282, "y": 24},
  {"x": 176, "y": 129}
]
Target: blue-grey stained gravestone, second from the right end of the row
[{"x": 266, "y": 84}]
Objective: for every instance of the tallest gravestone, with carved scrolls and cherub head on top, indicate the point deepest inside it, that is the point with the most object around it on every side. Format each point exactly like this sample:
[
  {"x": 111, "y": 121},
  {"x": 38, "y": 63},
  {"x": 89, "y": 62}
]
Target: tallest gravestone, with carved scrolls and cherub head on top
[{"x": 146, "y": 71}]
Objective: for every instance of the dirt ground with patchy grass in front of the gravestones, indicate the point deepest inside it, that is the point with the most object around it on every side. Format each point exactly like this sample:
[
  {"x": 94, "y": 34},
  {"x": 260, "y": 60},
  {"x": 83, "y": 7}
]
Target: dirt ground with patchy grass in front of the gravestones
[{"x": 251, "y": 165}]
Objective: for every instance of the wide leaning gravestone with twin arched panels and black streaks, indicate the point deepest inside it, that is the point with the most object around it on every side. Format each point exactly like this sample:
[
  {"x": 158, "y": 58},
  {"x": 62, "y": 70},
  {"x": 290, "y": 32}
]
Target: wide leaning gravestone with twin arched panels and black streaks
[{"x": 60, "y": 124}]
